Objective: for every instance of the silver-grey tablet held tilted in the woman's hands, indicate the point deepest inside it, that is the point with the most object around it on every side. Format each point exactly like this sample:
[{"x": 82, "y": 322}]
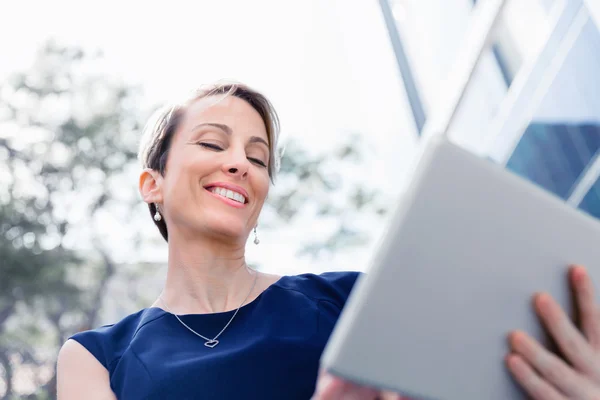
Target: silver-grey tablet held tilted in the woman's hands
[{"x": 465, "y": 251}]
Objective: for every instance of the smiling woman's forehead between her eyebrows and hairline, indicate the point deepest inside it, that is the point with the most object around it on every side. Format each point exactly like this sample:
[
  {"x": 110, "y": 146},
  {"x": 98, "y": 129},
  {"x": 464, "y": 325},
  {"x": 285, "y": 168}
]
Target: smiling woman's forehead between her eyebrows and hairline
[{"x": 238, "y": 114}]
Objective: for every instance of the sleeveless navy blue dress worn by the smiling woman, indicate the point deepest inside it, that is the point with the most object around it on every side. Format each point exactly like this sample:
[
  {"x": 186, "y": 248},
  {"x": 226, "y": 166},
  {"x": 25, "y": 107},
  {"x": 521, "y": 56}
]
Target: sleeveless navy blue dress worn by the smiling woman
[{"x": 271, "y": 350}]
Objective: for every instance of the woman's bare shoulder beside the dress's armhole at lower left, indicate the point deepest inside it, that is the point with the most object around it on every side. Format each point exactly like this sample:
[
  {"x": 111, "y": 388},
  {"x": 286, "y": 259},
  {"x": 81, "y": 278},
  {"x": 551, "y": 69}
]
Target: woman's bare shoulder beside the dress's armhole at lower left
[{"x": 80, "y": 375}]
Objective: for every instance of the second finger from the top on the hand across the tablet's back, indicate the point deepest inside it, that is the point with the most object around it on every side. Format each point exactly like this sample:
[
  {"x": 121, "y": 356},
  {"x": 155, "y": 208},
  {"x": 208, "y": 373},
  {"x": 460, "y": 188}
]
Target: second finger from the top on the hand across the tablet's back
[{"x": 571, "y": 342}]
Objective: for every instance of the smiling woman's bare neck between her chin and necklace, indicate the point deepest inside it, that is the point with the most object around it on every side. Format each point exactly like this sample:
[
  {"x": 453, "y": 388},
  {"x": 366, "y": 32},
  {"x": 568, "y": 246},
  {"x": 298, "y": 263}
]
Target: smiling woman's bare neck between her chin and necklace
[{"x": 206, "y": 276}]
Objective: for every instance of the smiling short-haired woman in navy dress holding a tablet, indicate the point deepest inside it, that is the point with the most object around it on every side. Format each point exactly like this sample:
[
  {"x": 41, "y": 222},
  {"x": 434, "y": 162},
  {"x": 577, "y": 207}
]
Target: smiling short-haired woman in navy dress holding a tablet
[{"x": 221, "y": 330}]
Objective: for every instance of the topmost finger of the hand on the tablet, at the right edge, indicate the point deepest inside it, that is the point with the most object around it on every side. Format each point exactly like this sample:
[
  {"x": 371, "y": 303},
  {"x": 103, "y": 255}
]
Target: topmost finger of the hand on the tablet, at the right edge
[{"x": 589, "y": 312}]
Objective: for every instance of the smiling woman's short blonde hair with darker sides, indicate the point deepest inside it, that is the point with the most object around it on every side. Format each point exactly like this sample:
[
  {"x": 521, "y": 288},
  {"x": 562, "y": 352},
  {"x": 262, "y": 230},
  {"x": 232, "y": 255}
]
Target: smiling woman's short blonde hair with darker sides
[{"x": 158, "y": 133}]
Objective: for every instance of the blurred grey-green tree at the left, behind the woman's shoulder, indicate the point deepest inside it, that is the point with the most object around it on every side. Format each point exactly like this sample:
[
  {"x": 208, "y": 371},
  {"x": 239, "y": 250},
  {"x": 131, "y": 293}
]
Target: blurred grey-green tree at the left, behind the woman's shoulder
[{"x": 63, "y": 143}]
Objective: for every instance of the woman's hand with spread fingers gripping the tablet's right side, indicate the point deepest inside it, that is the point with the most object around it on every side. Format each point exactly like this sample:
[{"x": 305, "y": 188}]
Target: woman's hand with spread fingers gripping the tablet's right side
[{"x": 542, "y": 374}]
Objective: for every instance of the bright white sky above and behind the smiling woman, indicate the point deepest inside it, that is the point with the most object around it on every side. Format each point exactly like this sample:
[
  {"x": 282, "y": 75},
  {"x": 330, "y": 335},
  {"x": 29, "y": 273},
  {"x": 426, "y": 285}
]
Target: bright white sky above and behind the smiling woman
[{"x": 327, "y": 66}]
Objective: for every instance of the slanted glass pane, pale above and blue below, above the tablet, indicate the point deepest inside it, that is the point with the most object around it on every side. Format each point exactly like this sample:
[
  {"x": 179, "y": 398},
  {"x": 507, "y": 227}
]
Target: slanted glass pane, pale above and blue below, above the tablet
[{"x": 560, "y": 114}]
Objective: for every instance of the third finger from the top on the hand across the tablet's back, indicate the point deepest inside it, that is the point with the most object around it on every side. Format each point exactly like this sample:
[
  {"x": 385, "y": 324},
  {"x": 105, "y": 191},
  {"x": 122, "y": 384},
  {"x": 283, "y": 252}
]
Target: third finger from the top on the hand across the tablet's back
[{"x": 551, "y": 368}]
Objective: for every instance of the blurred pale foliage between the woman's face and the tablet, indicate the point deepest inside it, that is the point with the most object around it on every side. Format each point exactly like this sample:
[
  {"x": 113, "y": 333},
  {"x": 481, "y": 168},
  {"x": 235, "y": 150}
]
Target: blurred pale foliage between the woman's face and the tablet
[{"x": 323, "y": 188}]
